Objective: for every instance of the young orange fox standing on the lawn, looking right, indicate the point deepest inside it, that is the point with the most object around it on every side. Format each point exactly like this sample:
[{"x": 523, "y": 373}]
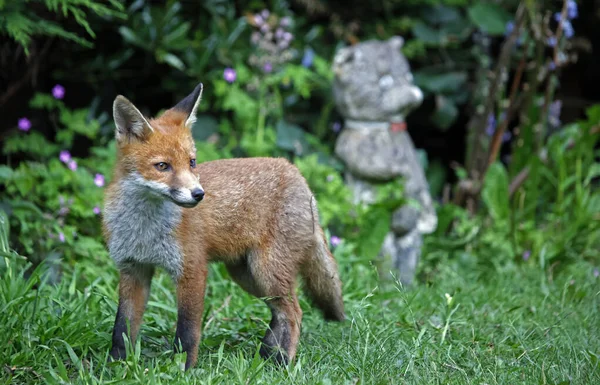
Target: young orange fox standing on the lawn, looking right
[{"x": 256, "y": 215}]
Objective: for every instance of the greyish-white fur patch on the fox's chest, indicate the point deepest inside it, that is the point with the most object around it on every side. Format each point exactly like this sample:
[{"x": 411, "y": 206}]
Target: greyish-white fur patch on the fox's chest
[{"x": 142, "y": 229}]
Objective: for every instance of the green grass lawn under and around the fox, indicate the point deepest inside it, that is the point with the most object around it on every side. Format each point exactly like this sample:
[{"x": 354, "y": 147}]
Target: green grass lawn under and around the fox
[{"x": 516, "y": 326}]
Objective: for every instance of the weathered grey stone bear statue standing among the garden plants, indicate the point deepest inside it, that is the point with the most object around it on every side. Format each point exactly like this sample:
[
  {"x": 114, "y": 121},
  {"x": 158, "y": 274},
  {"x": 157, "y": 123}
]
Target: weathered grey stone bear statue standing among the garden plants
[{"x": 373, "y": 90}]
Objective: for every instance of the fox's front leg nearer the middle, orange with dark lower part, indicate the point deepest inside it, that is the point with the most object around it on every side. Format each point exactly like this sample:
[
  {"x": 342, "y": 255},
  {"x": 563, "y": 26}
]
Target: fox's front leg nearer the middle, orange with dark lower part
[{"x": 190, "y": 307}]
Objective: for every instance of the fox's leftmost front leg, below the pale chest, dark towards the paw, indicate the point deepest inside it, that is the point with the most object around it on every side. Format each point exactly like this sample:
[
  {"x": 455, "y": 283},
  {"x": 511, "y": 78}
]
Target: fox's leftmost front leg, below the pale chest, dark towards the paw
[{"x": 134, "y": 288}]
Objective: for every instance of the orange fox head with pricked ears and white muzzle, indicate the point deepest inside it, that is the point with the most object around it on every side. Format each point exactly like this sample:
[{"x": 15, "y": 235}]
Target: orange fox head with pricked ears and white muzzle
[{"x": 159, "y": 155}]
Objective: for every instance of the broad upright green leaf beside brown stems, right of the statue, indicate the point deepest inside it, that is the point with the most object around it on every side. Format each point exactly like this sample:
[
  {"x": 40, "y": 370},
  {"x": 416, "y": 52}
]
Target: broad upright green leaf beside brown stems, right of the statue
[{"x": 495, "y": 192}]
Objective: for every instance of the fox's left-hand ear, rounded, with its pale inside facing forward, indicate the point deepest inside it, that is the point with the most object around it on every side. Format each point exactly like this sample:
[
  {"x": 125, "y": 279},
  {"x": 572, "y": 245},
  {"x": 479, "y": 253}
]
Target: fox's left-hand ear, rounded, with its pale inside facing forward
[{"x": 129, "y": 120}]
